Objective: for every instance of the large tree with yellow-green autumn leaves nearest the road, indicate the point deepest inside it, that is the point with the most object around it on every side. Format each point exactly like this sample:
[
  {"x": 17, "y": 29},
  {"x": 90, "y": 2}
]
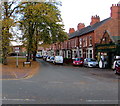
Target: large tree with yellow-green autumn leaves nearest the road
[{"x": 39, "y": 22}]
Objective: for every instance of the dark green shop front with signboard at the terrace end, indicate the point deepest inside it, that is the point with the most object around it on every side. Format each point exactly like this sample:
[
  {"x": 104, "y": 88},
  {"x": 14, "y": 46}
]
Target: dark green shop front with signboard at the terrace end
[{"x": 106, "y": 53}]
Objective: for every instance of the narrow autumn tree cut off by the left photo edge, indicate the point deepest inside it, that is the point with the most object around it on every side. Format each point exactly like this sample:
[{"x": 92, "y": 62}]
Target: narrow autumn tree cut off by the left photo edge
[{"x": 7, "y": 21}]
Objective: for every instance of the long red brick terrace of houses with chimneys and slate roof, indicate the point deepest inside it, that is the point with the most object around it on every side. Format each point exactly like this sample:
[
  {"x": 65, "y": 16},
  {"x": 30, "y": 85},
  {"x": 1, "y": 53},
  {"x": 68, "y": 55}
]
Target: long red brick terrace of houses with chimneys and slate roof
[{"x": 83, "y": 41}]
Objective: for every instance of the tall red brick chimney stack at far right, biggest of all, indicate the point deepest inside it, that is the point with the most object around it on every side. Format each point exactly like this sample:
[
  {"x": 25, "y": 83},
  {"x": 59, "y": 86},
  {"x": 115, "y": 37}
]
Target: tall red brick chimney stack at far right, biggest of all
[{"x": 115, "y": 11}]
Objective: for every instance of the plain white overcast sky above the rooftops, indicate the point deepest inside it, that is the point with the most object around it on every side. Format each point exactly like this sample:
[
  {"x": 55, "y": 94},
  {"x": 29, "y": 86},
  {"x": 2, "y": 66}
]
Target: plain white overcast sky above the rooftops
[{"x": 80, "y": 11}]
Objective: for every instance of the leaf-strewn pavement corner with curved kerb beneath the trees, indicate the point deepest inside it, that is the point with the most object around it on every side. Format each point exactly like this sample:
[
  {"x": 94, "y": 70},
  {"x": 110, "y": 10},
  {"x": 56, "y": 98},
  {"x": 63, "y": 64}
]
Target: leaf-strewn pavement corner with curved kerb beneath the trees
[{"x": 14, "y": 73}]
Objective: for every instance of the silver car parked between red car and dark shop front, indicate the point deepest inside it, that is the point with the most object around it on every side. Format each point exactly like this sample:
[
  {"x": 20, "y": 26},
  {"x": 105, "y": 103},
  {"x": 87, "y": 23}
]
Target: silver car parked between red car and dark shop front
[{"x": 90, "y": 62}]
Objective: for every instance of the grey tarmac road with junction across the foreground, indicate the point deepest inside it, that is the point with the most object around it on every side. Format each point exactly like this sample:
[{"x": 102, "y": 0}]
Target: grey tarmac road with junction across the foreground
[{"x": 62, "y": 84}]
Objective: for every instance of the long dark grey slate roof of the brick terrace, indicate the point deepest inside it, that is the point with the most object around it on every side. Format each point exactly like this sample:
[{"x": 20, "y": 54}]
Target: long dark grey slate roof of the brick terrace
[{"x": 87, "y": 29}]
